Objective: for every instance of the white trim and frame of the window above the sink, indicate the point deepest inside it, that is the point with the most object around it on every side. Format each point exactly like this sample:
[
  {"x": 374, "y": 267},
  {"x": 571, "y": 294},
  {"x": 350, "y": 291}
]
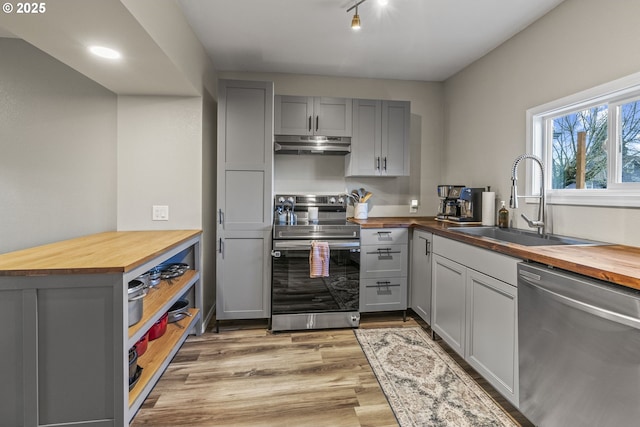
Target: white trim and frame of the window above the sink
[{"x": 617, "y": 195}]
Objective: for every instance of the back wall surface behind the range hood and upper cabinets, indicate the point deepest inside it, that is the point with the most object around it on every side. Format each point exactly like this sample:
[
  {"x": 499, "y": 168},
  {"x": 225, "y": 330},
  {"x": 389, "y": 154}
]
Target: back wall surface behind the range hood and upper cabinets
[{"x": 391, "y": 195}]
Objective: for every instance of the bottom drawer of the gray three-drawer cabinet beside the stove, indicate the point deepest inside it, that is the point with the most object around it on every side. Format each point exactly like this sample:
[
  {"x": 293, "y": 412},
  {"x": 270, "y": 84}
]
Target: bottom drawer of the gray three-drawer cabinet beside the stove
[{"x": 383, "y": 294}]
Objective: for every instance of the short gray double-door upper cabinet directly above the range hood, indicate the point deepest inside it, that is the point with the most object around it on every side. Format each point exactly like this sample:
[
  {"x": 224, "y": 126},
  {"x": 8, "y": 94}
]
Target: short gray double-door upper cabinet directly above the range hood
[{"x": 308, "y": 115}]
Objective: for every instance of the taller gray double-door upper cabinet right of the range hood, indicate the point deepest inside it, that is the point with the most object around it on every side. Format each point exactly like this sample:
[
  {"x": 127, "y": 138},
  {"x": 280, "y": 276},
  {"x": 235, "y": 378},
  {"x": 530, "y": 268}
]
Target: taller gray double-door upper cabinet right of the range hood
[{"x": 380, "y": 142}]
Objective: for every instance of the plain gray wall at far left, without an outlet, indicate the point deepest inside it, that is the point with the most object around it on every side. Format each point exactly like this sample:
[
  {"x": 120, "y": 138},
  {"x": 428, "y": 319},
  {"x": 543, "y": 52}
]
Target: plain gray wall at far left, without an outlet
[{"x": 58, "y": 150}]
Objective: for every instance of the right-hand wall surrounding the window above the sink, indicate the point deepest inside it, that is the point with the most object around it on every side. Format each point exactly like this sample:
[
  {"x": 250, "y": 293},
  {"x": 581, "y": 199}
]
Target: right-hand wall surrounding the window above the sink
[{"x": 578, "y": 45}]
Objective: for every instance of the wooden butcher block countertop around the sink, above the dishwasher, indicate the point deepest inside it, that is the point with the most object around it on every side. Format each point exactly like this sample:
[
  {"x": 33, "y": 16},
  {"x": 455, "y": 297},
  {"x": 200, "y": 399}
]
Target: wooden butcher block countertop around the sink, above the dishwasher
[{"x": 618, "y": 264}]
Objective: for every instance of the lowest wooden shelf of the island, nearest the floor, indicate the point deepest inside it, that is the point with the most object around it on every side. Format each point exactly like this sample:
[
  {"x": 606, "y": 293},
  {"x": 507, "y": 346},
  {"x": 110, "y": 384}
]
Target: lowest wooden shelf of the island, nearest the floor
[{"x": 158, "y": 355}]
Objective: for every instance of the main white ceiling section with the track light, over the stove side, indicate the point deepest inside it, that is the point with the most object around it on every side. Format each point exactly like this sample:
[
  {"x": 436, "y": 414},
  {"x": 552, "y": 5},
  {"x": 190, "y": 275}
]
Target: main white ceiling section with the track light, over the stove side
[{"x": 428, "y": 40}]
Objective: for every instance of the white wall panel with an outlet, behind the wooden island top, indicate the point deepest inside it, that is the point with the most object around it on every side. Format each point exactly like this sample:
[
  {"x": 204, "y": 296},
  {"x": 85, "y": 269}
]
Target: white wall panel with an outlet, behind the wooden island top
[{"x": 159, "y": 161}]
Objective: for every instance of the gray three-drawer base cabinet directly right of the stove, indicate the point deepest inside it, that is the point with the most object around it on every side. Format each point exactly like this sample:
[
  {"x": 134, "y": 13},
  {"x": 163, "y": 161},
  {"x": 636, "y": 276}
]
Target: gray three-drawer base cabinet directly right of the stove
[{"x": 383, "y": 269}]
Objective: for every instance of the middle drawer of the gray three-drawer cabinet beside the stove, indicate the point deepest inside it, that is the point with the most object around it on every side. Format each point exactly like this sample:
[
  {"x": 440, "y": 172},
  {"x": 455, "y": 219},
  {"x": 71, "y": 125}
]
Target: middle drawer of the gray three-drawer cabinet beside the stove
[{"x": 383, "y": 261}]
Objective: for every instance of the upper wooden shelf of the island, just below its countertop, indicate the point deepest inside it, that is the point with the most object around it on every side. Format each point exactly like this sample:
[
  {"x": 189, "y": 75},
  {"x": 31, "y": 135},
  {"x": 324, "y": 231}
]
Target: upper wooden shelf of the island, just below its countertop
[{"x": 158, "y": 301}]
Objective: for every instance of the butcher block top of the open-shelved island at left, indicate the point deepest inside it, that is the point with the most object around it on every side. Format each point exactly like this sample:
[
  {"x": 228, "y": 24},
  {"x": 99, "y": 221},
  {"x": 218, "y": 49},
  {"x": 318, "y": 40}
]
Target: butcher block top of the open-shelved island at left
[{"x": 108, "y": 252}]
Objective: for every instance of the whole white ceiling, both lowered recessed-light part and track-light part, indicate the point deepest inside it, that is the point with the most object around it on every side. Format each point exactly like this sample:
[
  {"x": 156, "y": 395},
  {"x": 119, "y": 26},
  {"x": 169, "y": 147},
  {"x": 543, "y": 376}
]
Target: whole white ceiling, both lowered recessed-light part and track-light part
[{"x": 427, "y": 40}]
